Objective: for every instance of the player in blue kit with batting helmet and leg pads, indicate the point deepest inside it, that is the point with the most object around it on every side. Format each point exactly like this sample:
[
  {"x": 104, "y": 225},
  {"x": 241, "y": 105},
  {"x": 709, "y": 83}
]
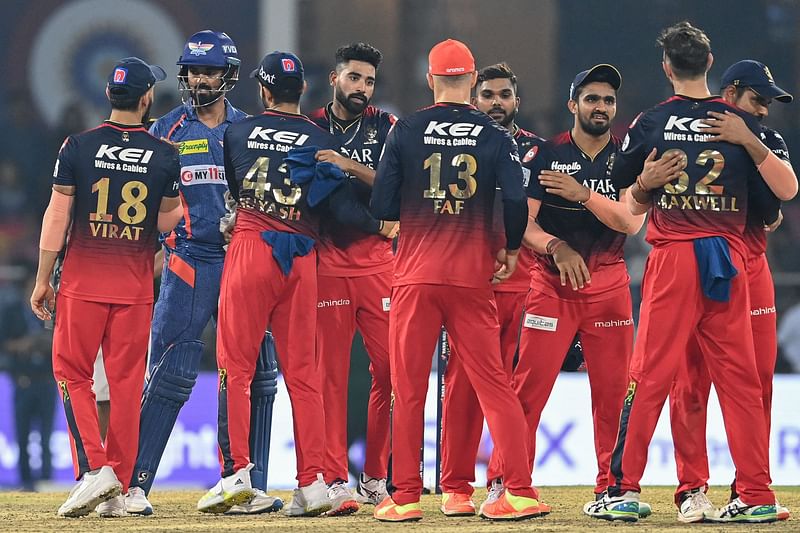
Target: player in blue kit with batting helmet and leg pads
[{"x": 193, "y": 258}]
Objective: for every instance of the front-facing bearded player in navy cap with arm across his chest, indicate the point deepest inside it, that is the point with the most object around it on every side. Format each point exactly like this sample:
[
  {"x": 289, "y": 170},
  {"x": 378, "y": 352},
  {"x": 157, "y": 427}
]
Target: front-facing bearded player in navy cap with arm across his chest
[{"x": 579, "y": 281}]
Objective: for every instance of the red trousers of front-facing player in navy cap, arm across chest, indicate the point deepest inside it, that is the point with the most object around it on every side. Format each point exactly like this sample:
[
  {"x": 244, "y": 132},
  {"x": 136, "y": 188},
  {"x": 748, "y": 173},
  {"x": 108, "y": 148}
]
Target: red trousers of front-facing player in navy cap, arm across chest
[{"x": 548, "y": 330}]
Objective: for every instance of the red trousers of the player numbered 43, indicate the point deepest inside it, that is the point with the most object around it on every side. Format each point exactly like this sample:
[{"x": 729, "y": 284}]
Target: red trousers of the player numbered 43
[{"x": 255, "y": 294}]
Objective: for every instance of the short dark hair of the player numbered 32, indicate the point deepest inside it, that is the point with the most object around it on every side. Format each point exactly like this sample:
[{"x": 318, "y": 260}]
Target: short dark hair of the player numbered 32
[{"x": 687, "y": 49}]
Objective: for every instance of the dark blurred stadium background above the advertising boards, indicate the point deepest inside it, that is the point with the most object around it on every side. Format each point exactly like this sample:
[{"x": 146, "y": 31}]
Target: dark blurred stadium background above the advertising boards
[{"x": 54, "y": 77}]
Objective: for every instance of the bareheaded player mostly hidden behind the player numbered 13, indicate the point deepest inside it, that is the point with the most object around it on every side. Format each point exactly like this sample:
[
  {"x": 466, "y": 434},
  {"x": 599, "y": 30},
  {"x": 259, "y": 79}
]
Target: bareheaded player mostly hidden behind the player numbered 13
[{"x": 496, "y": 95}]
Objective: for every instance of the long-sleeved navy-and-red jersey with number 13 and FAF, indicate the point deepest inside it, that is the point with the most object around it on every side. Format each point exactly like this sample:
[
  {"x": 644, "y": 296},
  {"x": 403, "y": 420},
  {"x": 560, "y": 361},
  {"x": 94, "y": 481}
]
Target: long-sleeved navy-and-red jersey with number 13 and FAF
[{"x": 439, "y": 174}]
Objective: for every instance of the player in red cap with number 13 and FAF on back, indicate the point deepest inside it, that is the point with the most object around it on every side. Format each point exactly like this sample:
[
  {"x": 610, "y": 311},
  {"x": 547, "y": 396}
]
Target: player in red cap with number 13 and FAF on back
[{"x": 439, "y": 173}]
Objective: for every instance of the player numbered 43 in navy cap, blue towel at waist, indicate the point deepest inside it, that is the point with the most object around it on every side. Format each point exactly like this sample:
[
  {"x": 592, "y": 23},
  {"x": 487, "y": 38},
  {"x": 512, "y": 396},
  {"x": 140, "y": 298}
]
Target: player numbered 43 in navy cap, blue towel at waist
[{"x": 270, "y": 278}]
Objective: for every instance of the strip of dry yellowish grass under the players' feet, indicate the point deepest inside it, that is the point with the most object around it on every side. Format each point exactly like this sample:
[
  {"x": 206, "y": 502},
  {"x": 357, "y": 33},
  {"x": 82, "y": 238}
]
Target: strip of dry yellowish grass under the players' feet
[{"x": 175, "y": 511}]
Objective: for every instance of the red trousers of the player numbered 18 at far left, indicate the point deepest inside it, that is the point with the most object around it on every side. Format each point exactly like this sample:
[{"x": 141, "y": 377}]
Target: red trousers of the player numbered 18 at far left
[{"x": 123, "y": 331}]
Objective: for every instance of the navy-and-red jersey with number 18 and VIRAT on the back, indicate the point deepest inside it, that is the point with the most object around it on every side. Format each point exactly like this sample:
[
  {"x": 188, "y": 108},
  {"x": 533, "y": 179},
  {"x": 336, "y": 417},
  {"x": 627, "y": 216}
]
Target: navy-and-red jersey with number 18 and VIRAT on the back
[{"x": 120, "y": 174}]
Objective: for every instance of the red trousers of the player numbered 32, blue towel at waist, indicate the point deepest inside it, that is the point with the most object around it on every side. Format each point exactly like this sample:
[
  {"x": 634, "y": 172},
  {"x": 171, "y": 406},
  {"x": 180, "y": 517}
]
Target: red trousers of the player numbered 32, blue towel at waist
[{"x": 673, "y": 311}]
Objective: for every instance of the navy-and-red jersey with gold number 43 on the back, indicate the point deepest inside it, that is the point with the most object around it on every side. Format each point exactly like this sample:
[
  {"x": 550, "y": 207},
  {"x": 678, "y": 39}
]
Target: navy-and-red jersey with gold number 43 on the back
[{"x": 258, "y": 178}]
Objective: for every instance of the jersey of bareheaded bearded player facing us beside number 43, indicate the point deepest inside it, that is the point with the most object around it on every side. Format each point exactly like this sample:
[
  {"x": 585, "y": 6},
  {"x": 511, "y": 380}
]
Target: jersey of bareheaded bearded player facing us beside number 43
[{"x": 346, "y": 250}]
